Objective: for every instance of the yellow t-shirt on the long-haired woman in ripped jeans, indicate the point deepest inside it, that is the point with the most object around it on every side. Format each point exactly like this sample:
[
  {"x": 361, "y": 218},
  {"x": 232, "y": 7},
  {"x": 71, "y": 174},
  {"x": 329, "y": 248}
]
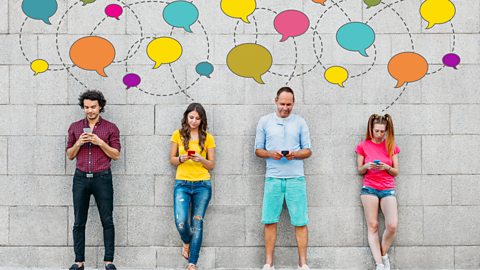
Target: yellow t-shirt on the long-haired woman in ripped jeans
[{"x": 191, "y": 170}]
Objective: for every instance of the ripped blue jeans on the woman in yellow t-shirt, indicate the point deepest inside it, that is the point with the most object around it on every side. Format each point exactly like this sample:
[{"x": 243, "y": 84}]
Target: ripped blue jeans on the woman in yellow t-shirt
[{"x": 197, "y": 194}]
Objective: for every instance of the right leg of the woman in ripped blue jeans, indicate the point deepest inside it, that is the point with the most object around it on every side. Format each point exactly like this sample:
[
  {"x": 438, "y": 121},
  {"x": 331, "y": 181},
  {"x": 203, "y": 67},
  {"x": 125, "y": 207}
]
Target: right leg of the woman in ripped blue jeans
[{"x": 201, "y": 197}]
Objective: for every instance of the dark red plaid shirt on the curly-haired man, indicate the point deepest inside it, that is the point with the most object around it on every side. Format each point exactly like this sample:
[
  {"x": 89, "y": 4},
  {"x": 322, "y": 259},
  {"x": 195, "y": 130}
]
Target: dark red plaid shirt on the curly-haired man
[{"x": 90, "y": 157}]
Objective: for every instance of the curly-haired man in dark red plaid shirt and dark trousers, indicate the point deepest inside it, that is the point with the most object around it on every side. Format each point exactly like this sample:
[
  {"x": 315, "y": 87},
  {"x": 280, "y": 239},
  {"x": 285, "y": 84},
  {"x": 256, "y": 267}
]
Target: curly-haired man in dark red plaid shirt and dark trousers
[{"x": 94, "y": 141}]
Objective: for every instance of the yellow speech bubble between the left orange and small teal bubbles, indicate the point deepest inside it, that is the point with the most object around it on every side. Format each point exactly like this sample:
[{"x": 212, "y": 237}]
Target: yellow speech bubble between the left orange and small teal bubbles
[{"x": 164, "y": 50}]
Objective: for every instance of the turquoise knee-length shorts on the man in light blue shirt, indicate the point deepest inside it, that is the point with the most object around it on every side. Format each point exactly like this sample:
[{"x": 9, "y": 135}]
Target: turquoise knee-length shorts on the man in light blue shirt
[{"x": 293, "y": 191}]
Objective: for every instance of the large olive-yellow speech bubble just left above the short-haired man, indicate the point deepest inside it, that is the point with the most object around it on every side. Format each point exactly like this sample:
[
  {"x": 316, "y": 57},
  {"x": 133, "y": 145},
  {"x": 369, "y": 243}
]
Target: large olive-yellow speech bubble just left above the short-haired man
[{"x": 249, "y": 60}]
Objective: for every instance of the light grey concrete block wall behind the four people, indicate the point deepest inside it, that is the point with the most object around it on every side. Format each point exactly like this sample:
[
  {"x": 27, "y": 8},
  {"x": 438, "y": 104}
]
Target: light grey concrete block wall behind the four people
[{"x": 436, "y": 119}]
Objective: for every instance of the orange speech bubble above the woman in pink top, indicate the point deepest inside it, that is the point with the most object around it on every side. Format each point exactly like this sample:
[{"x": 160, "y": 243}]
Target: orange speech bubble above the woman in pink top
[{"x": 407, "y": 67}]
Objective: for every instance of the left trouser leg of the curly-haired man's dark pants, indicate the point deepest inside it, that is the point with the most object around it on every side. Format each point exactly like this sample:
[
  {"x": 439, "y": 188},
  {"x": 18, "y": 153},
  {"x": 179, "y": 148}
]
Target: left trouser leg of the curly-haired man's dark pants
[{"x": 81, "y": 200}]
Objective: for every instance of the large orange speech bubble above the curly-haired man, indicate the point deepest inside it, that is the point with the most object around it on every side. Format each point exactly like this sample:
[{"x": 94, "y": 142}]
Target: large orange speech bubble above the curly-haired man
[{"x": 92, "y": 53}]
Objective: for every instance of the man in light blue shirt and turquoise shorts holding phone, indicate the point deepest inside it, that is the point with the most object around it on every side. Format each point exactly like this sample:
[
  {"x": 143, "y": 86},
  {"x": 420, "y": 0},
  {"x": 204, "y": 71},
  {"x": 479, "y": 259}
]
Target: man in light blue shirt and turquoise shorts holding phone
[{"x": 283, "y": 139}]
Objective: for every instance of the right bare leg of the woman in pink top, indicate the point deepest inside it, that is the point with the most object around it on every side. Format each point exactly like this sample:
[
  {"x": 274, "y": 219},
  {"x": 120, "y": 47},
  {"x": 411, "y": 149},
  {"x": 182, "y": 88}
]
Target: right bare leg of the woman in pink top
[{"x": 389, "y": 209}]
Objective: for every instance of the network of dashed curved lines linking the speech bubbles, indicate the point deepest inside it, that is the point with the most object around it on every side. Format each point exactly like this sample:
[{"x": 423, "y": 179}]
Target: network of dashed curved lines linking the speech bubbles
[{"x": 318, "y": 48}]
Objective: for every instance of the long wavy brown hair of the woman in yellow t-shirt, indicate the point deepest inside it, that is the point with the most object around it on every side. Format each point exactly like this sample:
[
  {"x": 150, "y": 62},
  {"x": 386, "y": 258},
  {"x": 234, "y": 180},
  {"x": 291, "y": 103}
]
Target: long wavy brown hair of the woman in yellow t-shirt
[{"x": 202, "y": 128}]
